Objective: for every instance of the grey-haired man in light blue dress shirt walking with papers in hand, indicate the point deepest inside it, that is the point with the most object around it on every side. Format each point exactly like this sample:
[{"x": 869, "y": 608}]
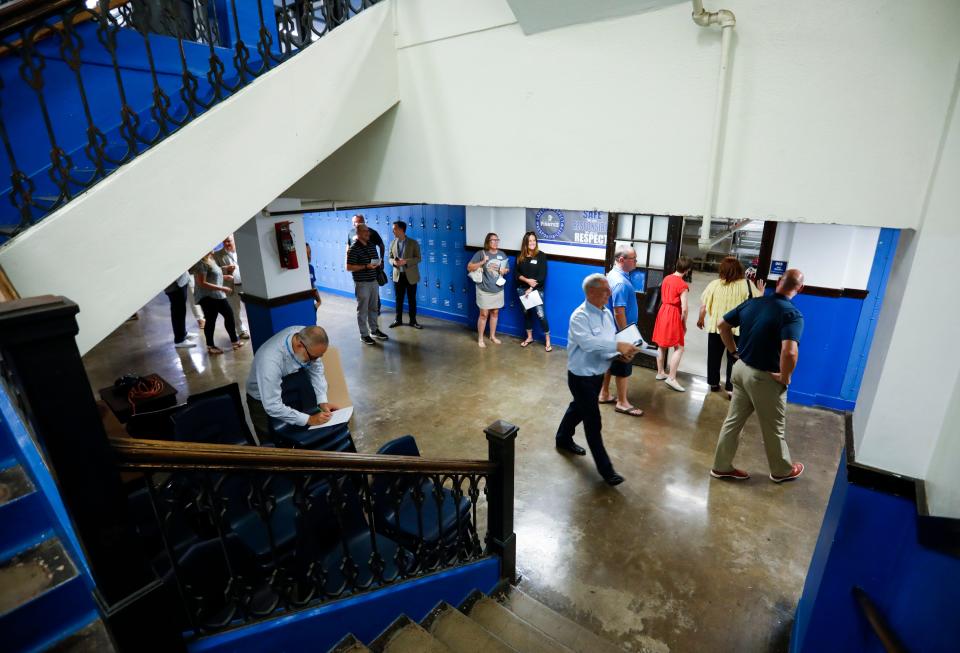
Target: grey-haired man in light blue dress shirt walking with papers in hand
[{"x": 591, "y": 345}]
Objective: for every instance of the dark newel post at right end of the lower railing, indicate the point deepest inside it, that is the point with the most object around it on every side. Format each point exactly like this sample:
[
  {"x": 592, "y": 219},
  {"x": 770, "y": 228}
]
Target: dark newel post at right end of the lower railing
[{"x": 502, "y": 541}]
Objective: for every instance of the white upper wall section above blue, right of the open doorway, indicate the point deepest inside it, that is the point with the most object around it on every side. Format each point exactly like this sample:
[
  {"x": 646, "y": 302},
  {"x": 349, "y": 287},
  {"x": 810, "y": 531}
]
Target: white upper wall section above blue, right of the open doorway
[{"x": 831, "y": 256}]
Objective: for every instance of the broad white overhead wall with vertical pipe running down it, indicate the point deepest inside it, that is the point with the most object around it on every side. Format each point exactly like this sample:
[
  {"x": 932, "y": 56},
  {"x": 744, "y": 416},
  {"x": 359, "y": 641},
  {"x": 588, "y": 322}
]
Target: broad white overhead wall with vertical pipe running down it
[{"x": 835, "y": 114}]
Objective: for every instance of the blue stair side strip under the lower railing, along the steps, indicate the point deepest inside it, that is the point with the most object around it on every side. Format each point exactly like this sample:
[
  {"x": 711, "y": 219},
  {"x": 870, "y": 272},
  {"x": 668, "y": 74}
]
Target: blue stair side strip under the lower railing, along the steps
[{"x": 365, "y": 615}]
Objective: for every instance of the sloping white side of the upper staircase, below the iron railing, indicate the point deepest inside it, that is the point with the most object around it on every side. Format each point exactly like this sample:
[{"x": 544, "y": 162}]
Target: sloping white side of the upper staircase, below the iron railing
[{"x": 120, "y": 243}]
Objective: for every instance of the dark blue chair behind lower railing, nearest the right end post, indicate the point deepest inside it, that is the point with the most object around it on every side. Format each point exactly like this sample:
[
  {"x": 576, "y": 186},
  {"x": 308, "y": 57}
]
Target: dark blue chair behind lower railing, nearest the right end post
[{"x": 438, "y": 519}]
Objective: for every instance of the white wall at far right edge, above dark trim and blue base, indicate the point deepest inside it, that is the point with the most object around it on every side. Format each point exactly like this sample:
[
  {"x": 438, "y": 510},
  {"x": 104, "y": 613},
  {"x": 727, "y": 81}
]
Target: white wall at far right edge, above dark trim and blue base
[{"x": 906, "y": 412}]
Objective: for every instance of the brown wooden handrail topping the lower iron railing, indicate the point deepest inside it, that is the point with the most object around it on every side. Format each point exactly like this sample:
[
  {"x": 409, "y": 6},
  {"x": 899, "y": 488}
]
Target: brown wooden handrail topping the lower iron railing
[{"x": 145, "y": 455}]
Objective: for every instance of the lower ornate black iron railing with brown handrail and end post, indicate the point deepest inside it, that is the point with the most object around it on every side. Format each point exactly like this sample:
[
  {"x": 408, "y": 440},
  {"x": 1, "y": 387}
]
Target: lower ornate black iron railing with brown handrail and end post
[{"x": 245, "y": 533}]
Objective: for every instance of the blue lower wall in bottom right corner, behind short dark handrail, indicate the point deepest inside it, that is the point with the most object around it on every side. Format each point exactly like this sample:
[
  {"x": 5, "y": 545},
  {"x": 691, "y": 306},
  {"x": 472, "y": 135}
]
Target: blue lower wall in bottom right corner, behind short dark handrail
[{"x": 869, "y": 539}]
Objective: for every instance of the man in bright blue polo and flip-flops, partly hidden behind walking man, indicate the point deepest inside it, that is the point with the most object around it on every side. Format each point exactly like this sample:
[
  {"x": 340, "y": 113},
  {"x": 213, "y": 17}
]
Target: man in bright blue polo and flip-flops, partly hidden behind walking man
[{"x": 623, "y": 305}]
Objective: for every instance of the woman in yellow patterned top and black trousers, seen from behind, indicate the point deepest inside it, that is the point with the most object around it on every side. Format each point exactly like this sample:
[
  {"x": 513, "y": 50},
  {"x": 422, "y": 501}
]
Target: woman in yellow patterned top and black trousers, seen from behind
[{"x": 719, "y": 298}]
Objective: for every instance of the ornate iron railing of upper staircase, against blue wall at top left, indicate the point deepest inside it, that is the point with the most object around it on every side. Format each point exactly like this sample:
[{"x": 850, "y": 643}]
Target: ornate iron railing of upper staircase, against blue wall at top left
[{"x": 86, "y": 86}]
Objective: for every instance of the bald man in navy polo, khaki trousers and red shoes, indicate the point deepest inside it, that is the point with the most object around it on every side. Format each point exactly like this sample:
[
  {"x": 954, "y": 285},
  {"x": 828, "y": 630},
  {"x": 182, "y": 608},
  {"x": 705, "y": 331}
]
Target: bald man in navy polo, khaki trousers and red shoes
[{"x": 770, "y": 330}]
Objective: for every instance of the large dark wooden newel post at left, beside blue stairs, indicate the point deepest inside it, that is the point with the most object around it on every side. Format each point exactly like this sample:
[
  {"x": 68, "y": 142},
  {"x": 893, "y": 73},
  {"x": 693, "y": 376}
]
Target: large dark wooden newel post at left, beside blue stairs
[{"x": 37, "y": 343}]
